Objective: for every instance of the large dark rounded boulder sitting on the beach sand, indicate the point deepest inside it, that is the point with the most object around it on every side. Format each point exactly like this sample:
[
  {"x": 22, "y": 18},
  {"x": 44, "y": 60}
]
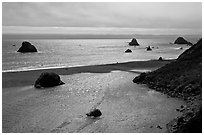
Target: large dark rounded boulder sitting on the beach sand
[{"x": 48, "y": 79}]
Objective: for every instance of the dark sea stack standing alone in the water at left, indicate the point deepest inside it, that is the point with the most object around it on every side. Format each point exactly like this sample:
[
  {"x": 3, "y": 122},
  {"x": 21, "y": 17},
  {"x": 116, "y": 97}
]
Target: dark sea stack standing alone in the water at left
[{"x": 27, "y": 47}]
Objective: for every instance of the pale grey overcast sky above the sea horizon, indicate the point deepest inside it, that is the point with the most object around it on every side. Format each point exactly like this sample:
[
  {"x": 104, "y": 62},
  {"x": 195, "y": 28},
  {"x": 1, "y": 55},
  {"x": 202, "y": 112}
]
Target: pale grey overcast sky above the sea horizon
[{"x": 124, "y": 15}]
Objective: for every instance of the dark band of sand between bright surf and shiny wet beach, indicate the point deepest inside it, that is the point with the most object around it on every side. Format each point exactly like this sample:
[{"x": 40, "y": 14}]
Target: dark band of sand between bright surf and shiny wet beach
[{"x": 23, "y": 78}]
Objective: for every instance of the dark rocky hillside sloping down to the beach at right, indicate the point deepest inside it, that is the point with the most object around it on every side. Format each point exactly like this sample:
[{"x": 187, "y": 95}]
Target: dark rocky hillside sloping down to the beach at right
[{"x": 181, "y": 78}]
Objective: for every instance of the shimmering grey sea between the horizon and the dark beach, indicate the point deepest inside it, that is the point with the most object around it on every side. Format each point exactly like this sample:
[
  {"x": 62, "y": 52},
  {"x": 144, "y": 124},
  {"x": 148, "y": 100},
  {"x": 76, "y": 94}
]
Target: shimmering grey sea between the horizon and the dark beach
[{"x": 75, "y": 52}]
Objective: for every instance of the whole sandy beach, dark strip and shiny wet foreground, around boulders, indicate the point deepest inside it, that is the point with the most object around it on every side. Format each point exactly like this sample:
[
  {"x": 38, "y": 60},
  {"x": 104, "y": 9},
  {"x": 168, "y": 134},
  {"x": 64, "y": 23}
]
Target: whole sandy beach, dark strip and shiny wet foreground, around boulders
[{"x": 126, "y": 107}]
